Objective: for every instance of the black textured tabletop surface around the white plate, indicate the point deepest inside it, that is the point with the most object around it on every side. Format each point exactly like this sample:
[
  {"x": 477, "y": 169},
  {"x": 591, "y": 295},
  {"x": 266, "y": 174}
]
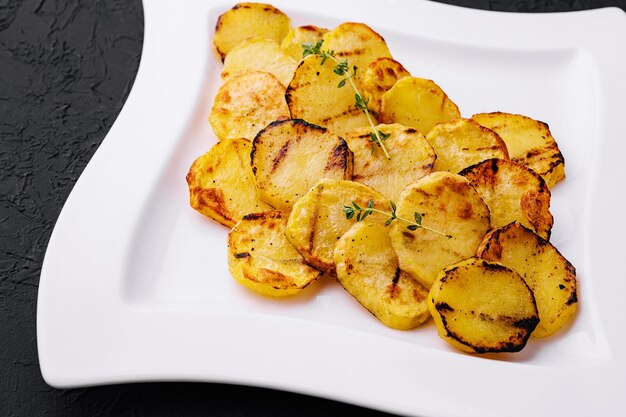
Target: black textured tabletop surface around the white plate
[{"x": 66, "y": 67}]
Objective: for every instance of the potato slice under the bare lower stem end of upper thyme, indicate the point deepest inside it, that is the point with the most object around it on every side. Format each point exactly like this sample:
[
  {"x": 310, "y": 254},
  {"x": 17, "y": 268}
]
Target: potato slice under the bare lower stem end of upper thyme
[{"x": 412, "y": 157}]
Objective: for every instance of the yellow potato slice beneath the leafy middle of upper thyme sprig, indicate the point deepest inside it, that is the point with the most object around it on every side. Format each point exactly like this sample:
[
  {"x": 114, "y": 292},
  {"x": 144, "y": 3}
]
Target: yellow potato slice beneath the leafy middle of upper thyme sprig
[{"x": 313, "y": 95}]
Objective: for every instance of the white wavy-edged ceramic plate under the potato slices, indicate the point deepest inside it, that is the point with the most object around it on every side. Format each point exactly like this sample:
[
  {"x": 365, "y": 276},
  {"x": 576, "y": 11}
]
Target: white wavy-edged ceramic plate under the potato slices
[{"x": 135, "y": 285}]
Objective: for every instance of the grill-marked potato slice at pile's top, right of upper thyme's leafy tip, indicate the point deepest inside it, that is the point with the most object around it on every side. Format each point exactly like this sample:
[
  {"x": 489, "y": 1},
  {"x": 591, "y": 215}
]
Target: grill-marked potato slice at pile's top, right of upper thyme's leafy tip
[{"x": 358, "y": 43}]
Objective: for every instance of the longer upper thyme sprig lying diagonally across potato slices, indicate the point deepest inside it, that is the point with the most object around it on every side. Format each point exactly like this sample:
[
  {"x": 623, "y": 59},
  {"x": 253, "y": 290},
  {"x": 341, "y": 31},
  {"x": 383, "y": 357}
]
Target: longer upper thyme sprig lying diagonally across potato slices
[{"x": 342, "y": 69}]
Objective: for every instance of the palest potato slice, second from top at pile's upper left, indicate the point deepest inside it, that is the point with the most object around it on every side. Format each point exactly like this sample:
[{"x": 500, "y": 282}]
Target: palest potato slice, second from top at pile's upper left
[{"x": 256, "y": 54}]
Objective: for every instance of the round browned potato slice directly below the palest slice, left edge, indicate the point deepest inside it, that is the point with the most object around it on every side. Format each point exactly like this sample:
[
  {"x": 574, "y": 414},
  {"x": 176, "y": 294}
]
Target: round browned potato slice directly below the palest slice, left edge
[{"x": 246, "y": 104}]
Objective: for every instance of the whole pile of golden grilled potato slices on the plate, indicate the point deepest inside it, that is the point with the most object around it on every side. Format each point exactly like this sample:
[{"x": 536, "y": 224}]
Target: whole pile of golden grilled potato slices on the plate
[{"x": 453, "y": 224}]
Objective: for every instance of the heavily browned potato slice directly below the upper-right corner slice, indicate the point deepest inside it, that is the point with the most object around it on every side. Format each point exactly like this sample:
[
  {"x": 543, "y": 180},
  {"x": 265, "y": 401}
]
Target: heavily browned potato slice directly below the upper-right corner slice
[{"x": 512, "y": 192}]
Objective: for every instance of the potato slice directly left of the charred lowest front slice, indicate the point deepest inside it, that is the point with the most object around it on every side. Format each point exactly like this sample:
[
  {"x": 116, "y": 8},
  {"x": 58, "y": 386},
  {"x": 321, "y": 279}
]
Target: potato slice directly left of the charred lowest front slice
[{"x": 367, "y": 267}]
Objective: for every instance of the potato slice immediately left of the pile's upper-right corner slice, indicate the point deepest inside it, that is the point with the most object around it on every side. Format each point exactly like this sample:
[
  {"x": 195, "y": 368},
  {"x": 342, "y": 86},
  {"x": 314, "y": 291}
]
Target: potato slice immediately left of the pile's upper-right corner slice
[{"x": 460, "y": 143}]
